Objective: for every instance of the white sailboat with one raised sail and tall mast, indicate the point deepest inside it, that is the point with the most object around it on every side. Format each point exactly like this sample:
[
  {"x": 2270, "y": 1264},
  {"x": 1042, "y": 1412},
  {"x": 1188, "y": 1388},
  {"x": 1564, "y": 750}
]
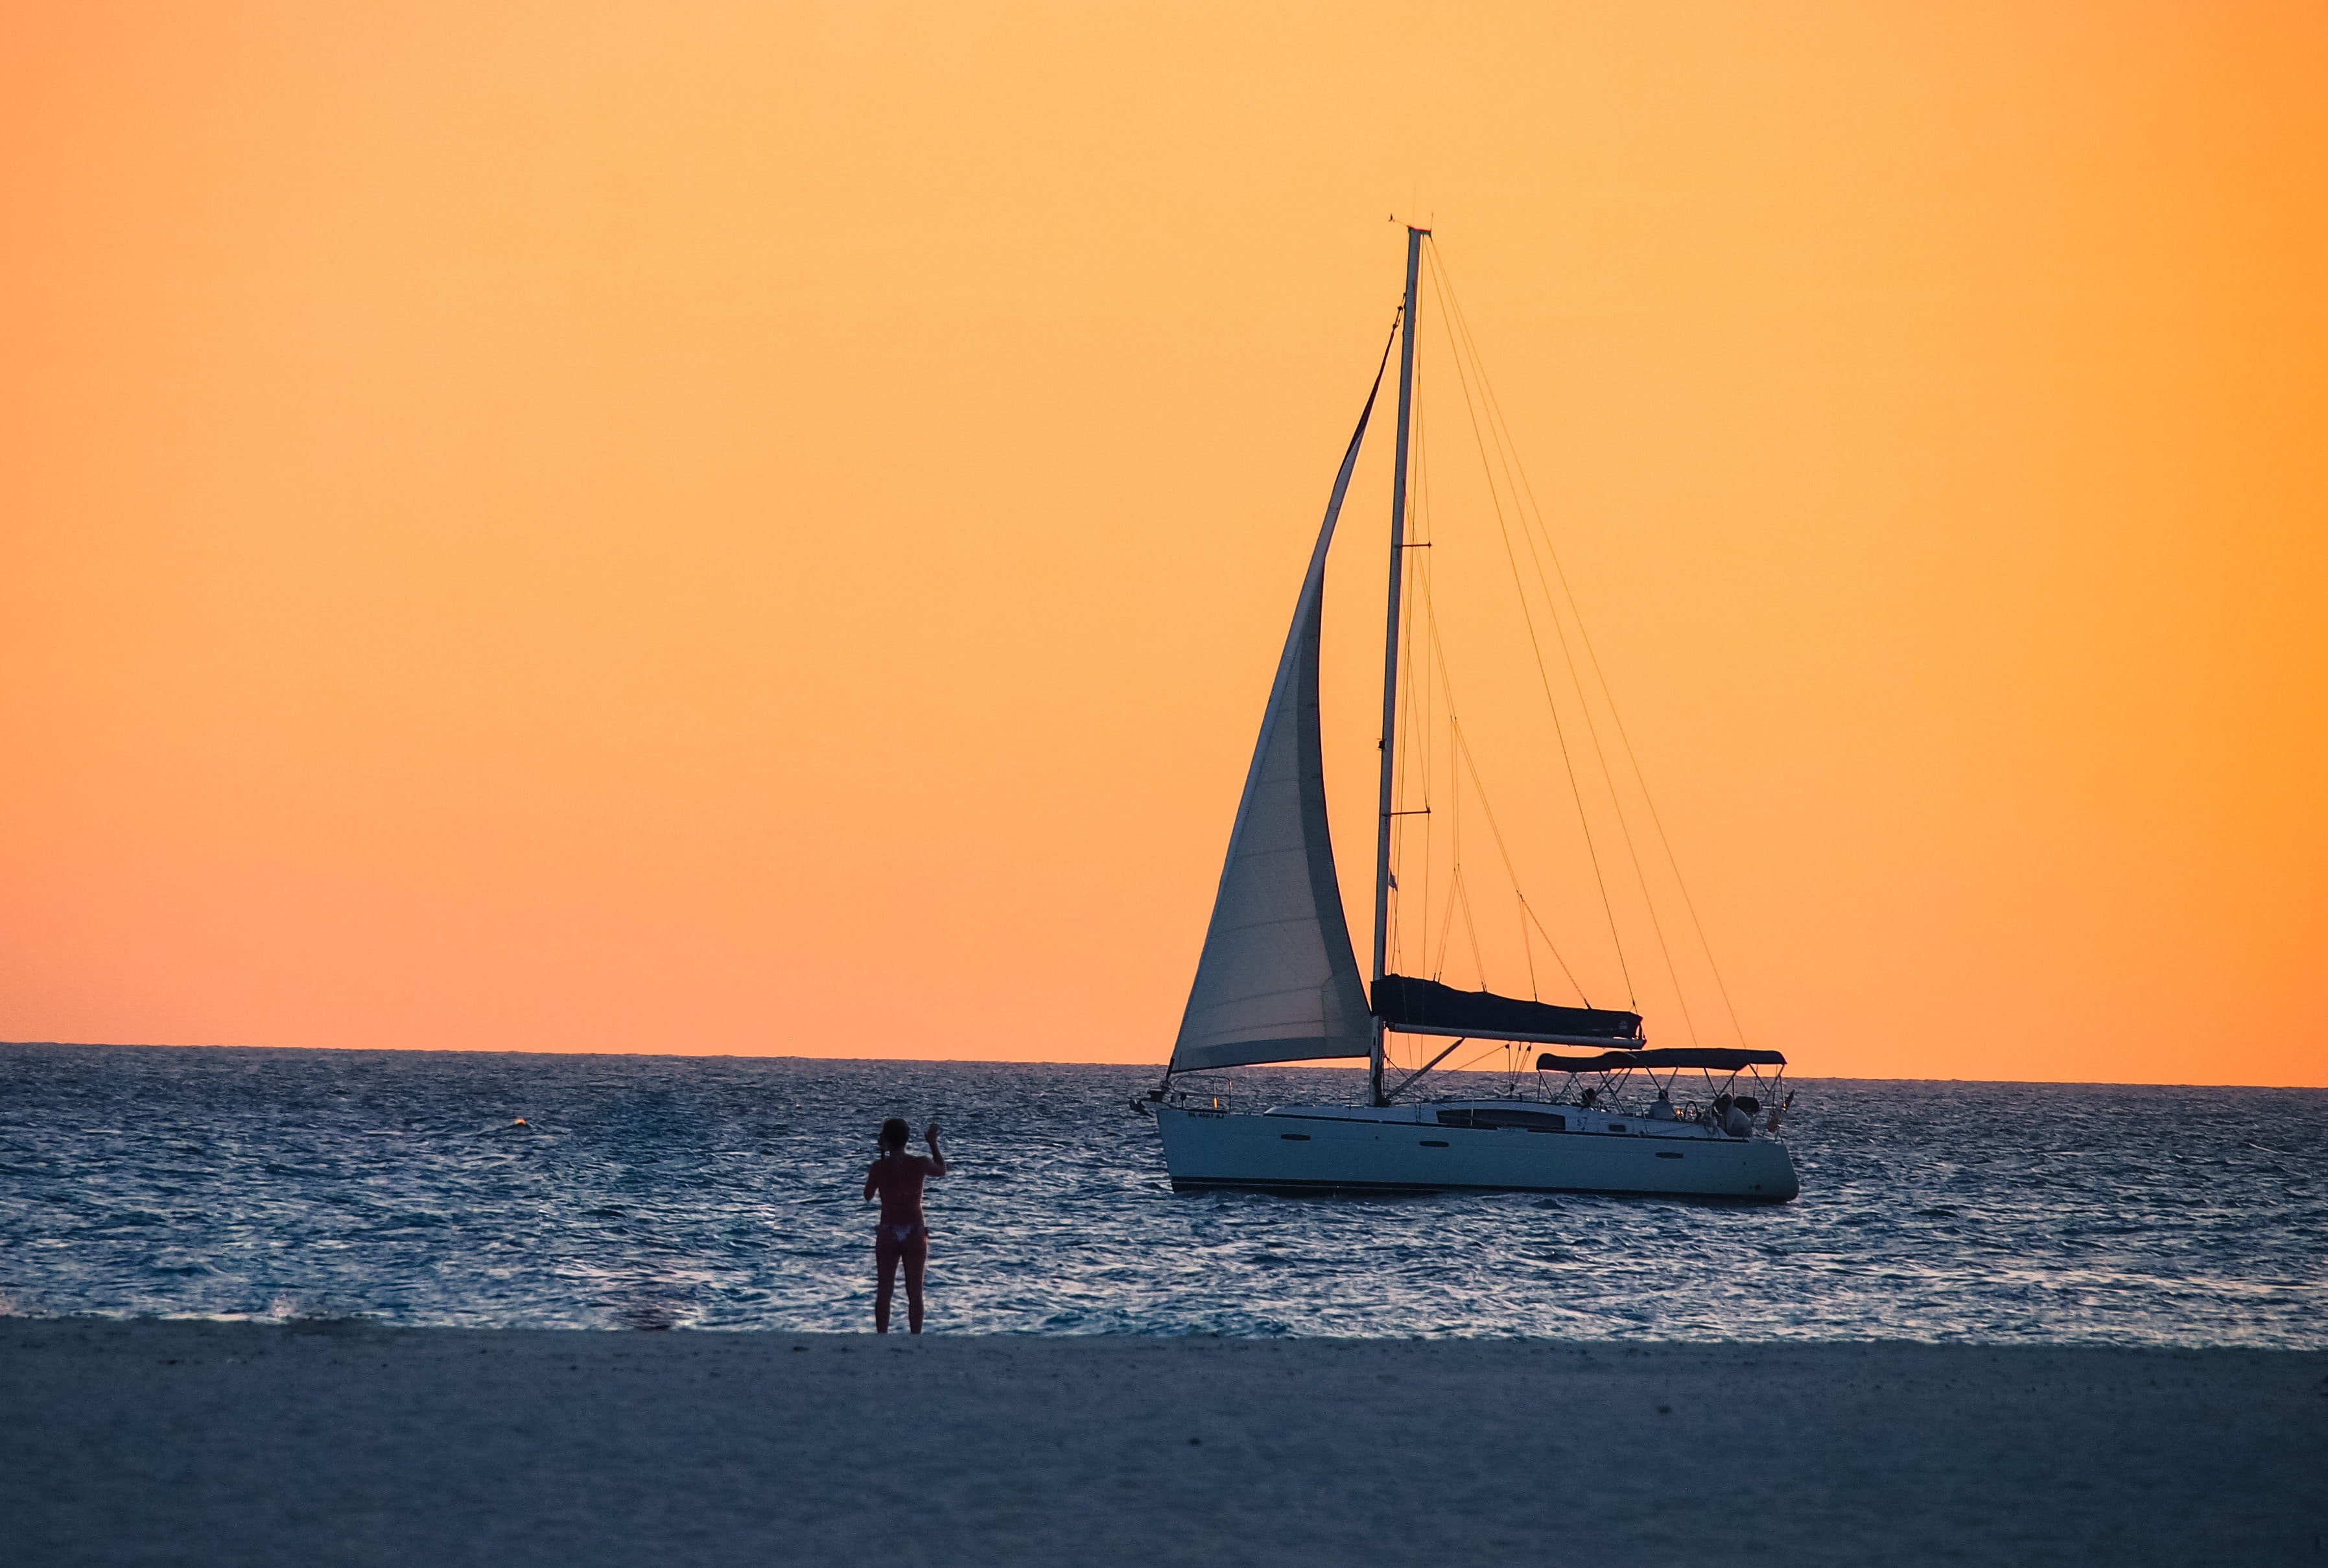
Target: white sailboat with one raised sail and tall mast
[{"x": 1279, "y": 983}]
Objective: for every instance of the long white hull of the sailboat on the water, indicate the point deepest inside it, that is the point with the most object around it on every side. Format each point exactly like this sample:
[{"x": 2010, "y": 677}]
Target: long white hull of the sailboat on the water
[{"x": 1407, "y": 1150}]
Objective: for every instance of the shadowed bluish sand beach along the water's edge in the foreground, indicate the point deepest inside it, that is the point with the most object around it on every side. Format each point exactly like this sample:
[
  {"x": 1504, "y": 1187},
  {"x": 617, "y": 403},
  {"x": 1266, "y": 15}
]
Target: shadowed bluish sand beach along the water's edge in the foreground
[{"x": 241, "y": 1444}]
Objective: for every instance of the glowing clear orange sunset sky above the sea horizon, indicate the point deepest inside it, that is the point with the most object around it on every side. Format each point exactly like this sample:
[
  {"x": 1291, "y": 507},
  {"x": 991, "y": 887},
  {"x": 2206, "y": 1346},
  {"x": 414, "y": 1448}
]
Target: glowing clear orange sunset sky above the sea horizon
[{"x": 767, "y": 529}]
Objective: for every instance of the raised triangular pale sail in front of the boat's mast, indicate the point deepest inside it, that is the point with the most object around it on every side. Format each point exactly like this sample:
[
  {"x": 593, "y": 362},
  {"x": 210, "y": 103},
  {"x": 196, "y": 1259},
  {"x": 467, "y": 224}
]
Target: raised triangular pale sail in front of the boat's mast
[{"x": 1279, "y": 976}]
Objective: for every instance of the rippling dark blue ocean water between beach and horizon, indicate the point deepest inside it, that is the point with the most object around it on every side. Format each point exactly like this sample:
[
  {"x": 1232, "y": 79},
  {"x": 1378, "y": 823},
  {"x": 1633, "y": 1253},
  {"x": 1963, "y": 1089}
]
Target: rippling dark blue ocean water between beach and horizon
[{"x": 665, "y": 1192}]
